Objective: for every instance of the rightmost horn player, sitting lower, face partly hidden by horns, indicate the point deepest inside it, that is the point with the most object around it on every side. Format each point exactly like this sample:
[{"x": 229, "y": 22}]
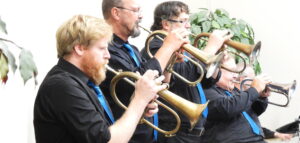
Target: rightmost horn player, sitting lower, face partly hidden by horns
[{"x": 233, "y": 116}]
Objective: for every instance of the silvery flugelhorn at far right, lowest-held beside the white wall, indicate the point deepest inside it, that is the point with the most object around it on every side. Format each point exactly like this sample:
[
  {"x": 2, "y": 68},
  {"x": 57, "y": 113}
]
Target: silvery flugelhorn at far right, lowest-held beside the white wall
[{"x": 286, "y": 90}]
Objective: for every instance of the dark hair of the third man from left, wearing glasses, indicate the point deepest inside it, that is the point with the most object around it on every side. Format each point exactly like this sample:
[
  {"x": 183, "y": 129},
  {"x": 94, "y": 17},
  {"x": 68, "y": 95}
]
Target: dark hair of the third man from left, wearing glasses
[{"x": 167, "y": 10}]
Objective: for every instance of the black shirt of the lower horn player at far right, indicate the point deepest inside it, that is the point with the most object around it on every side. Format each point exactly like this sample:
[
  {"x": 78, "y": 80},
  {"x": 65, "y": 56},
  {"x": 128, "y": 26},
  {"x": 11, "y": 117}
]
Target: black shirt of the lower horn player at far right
[{"x": 225, "y": 122}]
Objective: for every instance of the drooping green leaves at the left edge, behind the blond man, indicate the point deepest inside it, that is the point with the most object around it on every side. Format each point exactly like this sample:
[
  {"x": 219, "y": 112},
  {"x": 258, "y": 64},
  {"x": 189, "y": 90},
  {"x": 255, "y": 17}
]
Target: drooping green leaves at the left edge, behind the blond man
[{"x": 27, "y": 65}]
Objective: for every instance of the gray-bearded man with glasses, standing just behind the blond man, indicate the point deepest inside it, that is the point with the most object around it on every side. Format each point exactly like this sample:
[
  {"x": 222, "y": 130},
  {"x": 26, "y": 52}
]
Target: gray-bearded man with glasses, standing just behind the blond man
[{"x": 124, "y": 16}]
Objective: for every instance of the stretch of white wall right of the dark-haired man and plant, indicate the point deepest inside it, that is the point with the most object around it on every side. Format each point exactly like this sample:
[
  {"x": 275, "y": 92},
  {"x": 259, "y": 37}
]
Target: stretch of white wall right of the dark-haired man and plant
[{"x": 276, "y": 24}]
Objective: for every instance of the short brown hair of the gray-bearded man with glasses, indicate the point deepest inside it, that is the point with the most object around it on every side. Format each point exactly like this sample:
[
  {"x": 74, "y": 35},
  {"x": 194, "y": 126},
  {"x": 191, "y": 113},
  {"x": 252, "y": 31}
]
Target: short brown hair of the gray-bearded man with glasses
[{"x": 107, "y": 5}]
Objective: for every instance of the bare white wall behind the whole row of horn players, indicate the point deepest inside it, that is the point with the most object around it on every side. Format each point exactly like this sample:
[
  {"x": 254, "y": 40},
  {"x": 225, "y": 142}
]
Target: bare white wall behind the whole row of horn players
[{"x": 33, "y": 23}]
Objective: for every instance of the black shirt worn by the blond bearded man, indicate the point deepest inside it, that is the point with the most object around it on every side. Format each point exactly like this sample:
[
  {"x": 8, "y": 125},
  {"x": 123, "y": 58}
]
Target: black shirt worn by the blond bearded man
[{"x": 66, "y": 110}]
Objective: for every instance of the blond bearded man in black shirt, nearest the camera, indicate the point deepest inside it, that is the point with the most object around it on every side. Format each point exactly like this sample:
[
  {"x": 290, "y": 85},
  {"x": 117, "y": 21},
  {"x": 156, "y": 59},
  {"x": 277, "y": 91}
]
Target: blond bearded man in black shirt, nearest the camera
[{"x": 67, "y": 109}]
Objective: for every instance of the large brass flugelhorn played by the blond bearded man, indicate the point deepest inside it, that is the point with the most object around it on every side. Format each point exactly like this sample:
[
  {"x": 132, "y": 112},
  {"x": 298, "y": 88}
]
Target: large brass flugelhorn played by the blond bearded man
[{"x": 191, "y": 110}]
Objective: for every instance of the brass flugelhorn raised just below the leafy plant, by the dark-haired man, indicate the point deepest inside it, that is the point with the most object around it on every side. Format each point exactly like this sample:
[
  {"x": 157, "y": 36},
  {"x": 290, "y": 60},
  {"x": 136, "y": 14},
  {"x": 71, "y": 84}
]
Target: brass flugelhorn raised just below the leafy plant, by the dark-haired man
[{"x": 252, "y": 51}]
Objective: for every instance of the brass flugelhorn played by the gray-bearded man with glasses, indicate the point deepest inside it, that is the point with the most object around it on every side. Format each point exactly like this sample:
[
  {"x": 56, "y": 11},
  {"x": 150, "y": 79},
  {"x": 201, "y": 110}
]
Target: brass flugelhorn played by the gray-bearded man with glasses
[{"x": 212, "y": 61}]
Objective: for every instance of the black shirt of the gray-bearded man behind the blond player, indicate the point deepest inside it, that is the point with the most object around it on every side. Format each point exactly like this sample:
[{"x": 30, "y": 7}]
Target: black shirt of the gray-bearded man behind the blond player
[{"x": 121, "y": 60}]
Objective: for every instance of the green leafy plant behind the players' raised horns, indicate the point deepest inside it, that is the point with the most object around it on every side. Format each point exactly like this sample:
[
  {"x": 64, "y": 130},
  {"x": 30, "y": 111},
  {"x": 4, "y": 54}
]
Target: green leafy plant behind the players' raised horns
[{"x": 207, "y": 21}]
